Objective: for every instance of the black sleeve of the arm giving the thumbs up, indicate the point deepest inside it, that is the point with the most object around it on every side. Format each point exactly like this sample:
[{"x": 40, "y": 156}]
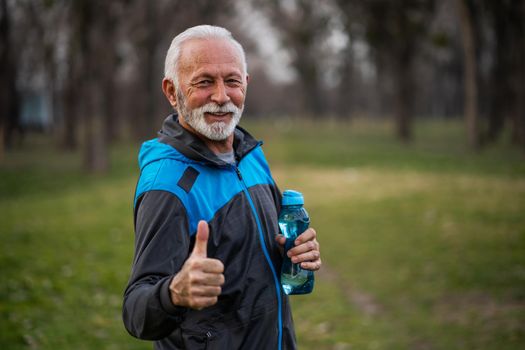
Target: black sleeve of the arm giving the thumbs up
[{"x": 162, "y": 245}]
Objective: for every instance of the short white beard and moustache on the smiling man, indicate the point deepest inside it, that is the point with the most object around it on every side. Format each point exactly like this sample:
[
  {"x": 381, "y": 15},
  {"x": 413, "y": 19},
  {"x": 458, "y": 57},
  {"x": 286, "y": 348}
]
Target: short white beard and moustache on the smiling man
[{"x": 216, "y": 131}]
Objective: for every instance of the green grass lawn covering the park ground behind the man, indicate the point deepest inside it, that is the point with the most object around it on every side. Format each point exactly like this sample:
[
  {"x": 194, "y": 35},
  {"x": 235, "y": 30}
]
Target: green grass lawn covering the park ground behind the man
[{"x": 423, "y": 245}]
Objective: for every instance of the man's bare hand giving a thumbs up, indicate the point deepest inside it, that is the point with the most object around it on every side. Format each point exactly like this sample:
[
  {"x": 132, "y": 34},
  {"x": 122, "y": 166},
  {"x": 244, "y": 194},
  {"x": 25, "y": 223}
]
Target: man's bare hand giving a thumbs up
[{"x": 198, "y": 284}]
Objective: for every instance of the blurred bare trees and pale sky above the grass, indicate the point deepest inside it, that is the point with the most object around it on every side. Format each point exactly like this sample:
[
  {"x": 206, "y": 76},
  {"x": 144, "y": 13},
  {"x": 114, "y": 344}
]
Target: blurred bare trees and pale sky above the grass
[{"x": 88, "y": 72}]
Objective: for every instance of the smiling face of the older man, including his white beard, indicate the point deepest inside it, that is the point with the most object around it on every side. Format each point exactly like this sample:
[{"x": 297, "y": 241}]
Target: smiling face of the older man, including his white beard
[{"x": 212, "y": 87}]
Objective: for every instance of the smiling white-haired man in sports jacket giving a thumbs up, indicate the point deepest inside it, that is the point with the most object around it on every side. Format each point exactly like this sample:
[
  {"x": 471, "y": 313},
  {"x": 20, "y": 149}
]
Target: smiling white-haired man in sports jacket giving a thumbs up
[{"x": 207, "y": 249}]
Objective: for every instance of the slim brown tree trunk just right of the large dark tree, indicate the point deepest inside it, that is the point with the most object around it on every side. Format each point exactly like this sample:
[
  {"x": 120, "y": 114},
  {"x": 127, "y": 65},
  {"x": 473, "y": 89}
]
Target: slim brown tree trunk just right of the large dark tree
[{"x": 470, "y": 64}]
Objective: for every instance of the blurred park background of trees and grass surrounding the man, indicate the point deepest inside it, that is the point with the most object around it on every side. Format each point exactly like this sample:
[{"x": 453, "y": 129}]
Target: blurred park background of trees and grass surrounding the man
[{"x": 403, "y": 122}]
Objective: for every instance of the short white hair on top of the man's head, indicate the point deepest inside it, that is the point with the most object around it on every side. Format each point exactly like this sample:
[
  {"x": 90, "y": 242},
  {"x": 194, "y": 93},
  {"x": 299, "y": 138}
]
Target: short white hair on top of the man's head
[{"x": 171, "y": 64}]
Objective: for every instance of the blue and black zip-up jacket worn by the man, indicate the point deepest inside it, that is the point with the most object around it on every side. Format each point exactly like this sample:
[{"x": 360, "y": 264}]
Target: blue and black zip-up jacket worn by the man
[{"x": 182, "y": 182}]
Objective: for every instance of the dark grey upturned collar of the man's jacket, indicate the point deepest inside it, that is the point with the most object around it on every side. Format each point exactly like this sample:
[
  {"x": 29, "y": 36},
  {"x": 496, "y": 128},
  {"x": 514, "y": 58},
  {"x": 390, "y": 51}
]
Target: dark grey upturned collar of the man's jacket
[{"x": 173, "y": 134}]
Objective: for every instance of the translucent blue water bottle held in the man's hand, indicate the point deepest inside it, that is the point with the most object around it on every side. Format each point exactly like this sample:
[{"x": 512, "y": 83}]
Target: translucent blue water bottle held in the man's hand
[{"x": 294, "y": 220}]
